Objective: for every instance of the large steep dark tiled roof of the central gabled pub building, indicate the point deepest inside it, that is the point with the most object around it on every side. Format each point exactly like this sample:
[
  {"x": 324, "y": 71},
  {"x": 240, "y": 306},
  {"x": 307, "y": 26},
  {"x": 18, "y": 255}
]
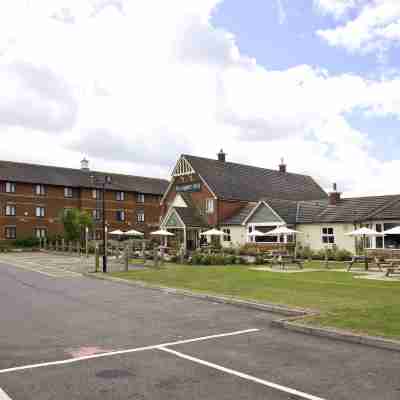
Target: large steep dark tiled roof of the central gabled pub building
[{"x": 232, "y": 181}]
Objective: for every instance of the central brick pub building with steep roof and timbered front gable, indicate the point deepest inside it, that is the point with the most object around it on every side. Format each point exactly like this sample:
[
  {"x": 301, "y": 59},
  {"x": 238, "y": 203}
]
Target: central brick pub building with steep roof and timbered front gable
[{"x": 206, "y": 193}]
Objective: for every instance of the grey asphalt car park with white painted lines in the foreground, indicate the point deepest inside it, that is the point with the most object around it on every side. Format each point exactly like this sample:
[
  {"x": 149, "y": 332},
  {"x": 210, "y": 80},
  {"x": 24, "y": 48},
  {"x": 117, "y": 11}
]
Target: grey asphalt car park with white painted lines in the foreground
[{"x": 72, "y": 337}]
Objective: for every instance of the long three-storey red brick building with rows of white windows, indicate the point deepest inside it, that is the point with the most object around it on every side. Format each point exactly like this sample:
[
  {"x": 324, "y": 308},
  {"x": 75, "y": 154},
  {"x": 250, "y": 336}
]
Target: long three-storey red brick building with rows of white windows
[{"x": 32, "y": 198}]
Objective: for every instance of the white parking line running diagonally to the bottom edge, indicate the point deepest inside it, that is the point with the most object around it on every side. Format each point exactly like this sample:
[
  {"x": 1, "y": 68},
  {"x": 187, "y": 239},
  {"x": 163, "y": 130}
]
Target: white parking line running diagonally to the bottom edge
[{"x": 242, "y": 375}]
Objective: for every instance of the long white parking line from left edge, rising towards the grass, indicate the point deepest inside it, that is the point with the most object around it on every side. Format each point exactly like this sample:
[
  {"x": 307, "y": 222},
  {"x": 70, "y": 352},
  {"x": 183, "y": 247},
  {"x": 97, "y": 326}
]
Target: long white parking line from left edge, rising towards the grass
[{"x": 120, "y": 352}]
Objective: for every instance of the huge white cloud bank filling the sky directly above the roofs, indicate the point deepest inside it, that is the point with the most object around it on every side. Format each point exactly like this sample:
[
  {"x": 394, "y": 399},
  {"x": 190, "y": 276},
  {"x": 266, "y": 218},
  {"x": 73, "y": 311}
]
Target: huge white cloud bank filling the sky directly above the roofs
[{"x": 131, "y": 88}]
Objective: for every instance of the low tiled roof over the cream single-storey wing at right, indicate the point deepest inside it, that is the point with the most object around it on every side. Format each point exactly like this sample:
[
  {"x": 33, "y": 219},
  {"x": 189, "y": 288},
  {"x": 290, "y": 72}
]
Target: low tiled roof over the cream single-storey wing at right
[{"x": 356, "y": 209}]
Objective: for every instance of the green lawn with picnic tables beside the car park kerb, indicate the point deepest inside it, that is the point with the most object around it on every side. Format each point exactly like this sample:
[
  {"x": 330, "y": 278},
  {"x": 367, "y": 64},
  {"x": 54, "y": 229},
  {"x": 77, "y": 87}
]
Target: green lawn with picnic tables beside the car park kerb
[{"x": 363, "y": 306}]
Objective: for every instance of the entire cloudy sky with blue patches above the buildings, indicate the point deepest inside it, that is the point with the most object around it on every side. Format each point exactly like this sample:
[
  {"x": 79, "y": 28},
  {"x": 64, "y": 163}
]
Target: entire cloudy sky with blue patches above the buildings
[{"x": 131, "y": 85}]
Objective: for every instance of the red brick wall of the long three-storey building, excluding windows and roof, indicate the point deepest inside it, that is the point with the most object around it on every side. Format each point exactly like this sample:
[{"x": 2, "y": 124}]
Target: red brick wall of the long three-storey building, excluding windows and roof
[{"x": 54, "y": 202}]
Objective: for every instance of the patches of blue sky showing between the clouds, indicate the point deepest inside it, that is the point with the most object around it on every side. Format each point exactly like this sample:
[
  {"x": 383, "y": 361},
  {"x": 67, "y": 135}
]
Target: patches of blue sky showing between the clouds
[{"x": 281, "y": 38}]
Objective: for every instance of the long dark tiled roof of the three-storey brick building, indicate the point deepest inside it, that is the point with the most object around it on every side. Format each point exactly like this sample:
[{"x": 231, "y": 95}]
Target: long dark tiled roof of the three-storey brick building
[{"x": 49, "y": 175}]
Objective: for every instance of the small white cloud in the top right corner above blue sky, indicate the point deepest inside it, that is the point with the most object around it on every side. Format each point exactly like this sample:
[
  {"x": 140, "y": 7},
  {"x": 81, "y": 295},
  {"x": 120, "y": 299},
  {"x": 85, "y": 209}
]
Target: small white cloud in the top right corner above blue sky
[{"x": 375, "y": 28}]
